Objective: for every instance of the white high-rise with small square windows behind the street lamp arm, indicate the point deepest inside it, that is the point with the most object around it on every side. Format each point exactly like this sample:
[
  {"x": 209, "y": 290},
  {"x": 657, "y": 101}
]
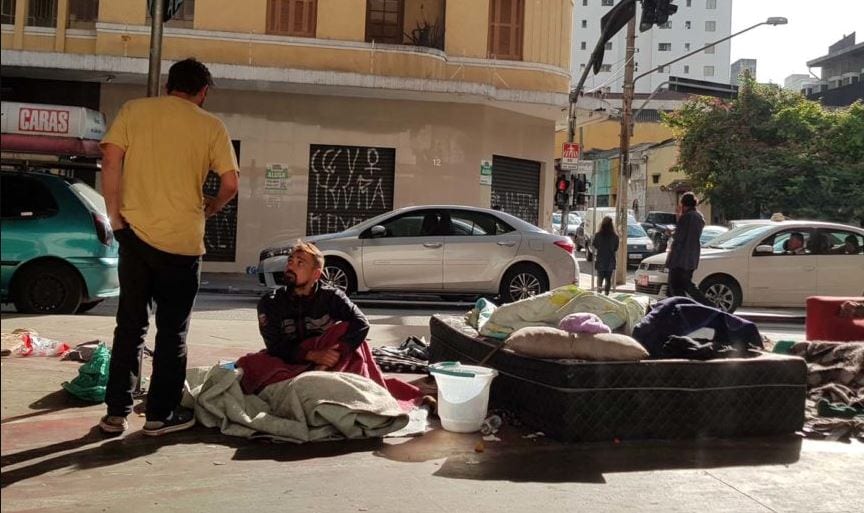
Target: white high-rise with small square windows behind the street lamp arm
[{"x": 696, "y": 23}]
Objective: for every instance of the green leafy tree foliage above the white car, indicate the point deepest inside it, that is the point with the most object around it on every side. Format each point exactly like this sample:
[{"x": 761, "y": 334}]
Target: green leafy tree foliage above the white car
[{"x": 770, "y": 150}]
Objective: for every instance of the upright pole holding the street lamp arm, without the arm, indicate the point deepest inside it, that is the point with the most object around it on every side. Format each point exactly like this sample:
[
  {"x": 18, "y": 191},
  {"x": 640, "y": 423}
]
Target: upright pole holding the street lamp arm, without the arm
[{"x": 624, "y": 160}]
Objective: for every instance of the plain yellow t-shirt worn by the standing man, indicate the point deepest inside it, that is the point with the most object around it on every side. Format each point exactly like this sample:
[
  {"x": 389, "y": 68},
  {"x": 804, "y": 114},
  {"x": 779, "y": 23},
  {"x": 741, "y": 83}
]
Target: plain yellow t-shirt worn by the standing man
[{"x": 170, "y": 145}]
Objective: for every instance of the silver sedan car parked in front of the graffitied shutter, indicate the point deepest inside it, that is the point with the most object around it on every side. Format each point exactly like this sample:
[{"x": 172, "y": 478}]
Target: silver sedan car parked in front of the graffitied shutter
[{"x": 446, "y": 250}]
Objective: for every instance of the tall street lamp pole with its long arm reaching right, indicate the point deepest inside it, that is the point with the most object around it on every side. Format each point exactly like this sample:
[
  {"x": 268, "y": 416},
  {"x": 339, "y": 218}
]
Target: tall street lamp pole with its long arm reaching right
[{"x": 626, "y": 127}]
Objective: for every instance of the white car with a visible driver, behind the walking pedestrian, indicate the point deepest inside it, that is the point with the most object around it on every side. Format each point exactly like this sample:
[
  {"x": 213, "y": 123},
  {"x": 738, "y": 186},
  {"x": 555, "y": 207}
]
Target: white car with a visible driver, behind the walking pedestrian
[{"x": 750, "y": 265}]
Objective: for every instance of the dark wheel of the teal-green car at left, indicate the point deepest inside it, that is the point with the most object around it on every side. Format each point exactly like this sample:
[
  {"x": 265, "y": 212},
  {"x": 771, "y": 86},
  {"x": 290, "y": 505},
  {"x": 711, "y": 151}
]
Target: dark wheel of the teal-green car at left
[{"x": 47, "y": 288}]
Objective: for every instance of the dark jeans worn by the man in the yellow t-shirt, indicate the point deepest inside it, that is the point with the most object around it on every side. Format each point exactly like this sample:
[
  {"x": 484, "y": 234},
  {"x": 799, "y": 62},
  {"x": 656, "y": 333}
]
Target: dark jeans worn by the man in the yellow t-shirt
[{"x": 151, "y": 278}]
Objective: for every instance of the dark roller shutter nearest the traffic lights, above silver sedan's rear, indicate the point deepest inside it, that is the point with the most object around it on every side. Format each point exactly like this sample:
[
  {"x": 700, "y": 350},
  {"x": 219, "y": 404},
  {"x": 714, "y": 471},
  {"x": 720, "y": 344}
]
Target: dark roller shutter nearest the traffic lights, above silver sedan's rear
[{"x": 516, "y": 187}]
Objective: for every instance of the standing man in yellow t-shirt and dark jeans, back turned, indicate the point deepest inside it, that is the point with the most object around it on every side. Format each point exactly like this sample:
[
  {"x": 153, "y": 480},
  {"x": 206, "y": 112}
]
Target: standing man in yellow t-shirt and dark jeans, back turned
[{"x": 156, "y": 157}]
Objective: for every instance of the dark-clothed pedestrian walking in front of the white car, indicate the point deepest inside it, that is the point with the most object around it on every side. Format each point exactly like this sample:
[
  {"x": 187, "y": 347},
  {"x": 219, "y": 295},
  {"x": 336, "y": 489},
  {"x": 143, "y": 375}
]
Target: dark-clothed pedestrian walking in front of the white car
[{"x": 683, "y": 257}]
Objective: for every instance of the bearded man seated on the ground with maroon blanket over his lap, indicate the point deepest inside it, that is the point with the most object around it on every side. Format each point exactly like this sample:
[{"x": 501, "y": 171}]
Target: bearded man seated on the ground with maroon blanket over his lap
[{"x": 309, "y": 325}]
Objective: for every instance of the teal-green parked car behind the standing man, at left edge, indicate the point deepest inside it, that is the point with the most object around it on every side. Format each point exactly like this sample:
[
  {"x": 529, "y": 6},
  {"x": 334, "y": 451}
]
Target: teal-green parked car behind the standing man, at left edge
[{"x": 59, "y": 255}]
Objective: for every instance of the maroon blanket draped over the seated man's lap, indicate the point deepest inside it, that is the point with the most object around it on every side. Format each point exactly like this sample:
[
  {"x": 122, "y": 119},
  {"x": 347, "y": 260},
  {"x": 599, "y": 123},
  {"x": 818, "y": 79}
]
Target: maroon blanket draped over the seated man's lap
[{"x": 260, "y": 369}]
